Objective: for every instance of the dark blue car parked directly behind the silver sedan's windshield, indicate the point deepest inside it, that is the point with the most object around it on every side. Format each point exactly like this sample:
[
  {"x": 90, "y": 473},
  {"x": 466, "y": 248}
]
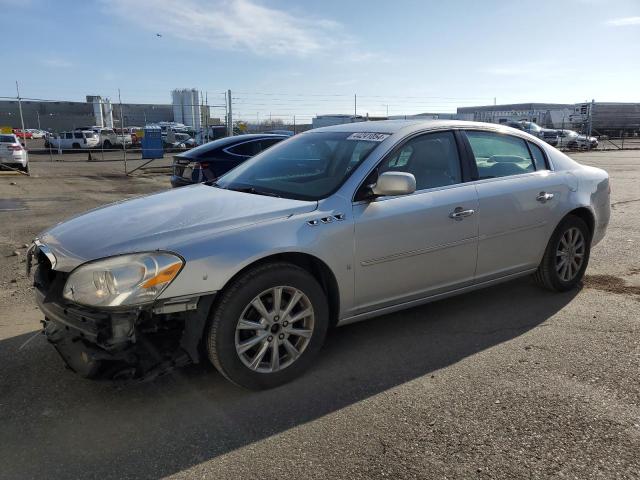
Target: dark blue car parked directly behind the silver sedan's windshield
[{"x": 213, "y": 159}]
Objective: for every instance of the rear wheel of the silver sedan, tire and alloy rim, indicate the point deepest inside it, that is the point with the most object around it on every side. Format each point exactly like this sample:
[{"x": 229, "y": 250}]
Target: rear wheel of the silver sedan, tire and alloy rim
[{"x": 552, "y": 274}]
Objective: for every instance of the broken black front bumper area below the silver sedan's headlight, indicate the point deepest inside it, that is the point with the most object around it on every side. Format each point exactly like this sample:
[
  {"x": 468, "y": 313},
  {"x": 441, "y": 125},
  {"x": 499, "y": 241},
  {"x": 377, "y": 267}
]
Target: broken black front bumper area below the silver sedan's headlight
[{"x": 131, "y": 344}]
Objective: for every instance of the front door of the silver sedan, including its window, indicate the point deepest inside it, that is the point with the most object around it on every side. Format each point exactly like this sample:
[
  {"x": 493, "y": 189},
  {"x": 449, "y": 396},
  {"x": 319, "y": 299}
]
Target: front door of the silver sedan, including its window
[{"x": 413, "y": 246}]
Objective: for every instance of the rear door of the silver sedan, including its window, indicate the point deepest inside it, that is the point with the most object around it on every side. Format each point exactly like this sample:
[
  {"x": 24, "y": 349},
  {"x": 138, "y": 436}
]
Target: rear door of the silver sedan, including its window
[{"x": 519, "y": 199}]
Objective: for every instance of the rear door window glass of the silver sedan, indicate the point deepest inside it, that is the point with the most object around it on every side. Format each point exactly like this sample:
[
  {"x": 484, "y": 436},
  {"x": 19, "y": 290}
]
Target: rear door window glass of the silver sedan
[{"x": 499, "y": 155}]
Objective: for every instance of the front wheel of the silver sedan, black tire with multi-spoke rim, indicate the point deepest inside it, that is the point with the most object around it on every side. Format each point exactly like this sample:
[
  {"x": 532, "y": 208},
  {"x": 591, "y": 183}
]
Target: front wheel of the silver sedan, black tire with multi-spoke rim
[{"x": 224, "y": 341}]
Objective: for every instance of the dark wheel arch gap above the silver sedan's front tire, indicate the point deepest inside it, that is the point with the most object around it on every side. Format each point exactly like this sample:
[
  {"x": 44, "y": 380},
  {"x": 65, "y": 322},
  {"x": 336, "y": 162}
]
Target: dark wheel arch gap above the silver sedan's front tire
[{"x": 312, "y": 264}]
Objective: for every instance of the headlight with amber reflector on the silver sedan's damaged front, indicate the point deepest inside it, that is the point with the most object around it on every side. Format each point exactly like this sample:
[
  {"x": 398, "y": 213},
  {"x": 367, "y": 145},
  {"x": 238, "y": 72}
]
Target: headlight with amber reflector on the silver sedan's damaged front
[{"x": 124, "y": 280}]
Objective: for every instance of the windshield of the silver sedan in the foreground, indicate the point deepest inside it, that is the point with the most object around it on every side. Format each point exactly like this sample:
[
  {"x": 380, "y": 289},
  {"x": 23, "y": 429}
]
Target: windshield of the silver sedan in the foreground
[{"x": 306, "y": 167}]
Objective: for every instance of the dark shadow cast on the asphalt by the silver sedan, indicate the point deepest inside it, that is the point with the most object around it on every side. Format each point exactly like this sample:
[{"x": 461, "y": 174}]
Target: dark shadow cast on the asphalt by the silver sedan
[{"x": 55, "y": 424}]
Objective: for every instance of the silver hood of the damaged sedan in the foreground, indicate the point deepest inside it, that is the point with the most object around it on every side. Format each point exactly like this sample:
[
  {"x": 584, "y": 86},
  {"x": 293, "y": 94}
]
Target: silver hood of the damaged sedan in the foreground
[{"x": 168, "y": 220}]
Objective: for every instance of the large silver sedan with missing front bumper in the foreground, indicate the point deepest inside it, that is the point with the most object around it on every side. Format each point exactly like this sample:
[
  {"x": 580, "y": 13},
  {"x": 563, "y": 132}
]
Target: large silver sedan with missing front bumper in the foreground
[{"x": 331, "y": 226}]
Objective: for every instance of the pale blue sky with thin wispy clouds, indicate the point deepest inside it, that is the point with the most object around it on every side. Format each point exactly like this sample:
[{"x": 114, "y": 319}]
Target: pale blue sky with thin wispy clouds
[{"x": 282, "y": 58}]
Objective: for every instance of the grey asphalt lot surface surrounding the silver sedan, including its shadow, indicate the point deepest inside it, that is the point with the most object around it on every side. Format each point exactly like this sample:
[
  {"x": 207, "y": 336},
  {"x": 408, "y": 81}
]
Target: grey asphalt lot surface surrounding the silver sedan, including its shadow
[{"x": 508, "y": 382}]
